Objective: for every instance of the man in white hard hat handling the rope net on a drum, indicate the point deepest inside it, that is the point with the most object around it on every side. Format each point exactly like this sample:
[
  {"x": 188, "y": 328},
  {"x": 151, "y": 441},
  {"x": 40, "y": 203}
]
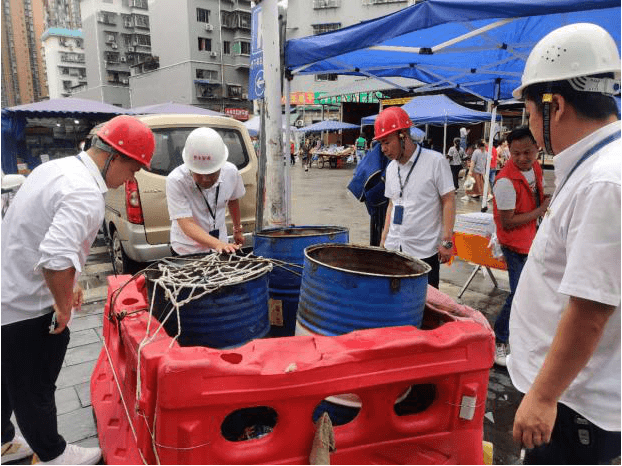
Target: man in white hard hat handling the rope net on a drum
[{"x": 198, "y": 192}]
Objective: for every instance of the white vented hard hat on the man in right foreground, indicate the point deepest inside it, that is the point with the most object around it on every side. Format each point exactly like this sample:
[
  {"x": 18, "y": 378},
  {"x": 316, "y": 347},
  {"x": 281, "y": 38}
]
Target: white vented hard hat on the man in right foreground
[{"x": 574, "y": 51}]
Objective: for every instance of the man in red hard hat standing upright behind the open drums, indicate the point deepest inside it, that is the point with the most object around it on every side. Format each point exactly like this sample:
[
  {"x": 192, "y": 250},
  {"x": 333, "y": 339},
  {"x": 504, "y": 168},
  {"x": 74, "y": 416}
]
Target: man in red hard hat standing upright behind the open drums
[{"x": 422, "y": 207}]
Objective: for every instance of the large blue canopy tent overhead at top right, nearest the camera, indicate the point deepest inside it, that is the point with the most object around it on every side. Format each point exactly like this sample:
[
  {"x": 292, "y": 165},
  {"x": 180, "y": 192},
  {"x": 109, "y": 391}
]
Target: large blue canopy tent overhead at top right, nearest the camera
[{"x": 475, "y": 46}]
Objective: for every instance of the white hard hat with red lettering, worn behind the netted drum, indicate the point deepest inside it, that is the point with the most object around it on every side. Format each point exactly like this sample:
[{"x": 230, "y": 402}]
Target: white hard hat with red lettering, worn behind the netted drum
[{"x": 204, "y": 152}]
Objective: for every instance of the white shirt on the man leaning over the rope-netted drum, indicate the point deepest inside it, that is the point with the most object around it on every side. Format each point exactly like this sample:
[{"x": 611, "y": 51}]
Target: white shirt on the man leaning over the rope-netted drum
[{"x": 185, "y": 200}]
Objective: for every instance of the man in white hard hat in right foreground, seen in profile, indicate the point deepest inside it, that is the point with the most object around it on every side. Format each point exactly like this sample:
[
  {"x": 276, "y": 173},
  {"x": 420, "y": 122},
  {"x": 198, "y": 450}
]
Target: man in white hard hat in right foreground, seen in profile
[{"x": 565, "y": 317}]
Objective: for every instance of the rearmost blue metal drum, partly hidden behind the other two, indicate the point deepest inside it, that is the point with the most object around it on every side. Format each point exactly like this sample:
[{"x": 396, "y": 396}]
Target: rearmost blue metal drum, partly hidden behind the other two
[{"x": 288, "y": 245}]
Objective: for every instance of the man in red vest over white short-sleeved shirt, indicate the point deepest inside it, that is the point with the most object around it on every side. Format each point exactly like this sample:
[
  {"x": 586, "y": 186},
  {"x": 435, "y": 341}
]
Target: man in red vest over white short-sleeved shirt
[{"x": 518, "y": 203}]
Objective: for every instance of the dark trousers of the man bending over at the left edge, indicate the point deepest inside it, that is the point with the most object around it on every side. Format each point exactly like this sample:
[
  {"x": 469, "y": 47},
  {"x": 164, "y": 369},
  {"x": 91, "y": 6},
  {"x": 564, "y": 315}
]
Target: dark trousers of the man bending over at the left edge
[{"x": 31, "y": 362}]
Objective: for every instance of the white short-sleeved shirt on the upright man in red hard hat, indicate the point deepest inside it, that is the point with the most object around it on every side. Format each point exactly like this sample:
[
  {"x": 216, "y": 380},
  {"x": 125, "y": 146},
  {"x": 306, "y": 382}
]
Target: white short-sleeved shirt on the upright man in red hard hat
[{"x": 421, "y": 230}]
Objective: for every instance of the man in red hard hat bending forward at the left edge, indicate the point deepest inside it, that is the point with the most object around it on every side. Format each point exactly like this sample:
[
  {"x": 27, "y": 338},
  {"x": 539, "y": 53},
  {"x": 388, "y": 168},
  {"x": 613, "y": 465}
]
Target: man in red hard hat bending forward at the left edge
[{"x": 46, "y": 236}]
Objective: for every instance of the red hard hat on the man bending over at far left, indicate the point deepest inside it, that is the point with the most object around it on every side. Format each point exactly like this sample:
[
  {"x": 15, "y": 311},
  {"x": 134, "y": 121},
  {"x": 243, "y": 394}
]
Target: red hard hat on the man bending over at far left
[{"x": 130, "y": 137}]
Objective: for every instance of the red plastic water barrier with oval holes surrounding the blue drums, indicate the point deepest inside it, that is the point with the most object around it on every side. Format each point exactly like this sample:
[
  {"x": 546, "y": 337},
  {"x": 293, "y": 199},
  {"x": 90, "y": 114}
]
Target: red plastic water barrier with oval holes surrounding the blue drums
[{"x": 187, "y": 393}]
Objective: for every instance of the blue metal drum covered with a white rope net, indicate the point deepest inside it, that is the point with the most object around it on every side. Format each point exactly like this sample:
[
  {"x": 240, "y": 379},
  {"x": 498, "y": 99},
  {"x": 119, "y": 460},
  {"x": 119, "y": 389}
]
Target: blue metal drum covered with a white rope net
[{"x": 226, "y": 318}]
